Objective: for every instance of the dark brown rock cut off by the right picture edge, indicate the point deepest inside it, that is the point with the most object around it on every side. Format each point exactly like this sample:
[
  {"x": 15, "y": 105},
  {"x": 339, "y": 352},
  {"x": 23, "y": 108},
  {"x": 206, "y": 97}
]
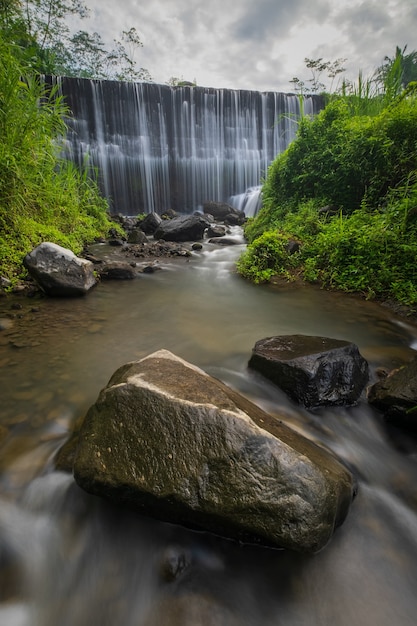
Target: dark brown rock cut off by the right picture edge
[{"x": 396, "y": 396}]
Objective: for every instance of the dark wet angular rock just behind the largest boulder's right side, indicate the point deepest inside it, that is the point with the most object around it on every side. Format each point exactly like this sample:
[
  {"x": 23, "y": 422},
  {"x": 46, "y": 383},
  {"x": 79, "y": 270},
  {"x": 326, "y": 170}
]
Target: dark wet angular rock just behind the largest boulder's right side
[{"x": 314, "y": 371}]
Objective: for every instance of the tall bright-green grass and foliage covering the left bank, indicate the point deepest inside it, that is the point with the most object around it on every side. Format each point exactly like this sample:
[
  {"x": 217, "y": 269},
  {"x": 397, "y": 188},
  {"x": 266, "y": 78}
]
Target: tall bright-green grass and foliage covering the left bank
[{"x": 42, "y": 197}]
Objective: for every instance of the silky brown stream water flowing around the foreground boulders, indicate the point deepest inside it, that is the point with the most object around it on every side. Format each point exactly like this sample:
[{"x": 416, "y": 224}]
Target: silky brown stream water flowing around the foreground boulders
[{"x": 70, "y": 559}]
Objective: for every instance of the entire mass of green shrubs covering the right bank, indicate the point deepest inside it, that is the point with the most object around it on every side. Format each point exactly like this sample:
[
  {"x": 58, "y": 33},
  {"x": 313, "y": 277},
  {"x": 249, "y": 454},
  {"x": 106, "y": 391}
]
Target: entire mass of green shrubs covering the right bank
[{"x": 347, "y": 189}]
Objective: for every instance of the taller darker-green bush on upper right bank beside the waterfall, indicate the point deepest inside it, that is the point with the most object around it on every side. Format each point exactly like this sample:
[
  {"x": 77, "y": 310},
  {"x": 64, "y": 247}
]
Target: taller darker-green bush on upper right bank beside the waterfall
[{"x": 344, "y": 160}]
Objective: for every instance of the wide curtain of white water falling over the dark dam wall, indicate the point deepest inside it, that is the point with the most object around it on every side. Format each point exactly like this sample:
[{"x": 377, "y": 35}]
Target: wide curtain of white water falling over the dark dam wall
[{"x": 156, "y": 147}]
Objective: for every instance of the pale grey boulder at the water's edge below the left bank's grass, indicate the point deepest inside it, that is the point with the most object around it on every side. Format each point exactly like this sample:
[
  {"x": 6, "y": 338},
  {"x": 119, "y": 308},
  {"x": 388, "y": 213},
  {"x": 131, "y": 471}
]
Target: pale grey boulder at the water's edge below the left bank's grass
[{"x": 58, "y": 271}]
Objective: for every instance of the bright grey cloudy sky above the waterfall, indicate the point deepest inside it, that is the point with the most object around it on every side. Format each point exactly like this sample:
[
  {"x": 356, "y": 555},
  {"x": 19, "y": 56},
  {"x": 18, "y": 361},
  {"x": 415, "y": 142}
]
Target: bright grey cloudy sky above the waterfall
[{"x": 256, "y": 44}]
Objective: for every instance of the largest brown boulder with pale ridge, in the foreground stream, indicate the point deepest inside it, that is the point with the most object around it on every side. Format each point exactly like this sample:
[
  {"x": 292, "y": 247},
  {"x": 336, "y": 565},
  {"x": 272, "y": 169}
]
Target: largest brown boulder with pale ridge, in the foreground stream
[{"x": 179, "y": 445}]
